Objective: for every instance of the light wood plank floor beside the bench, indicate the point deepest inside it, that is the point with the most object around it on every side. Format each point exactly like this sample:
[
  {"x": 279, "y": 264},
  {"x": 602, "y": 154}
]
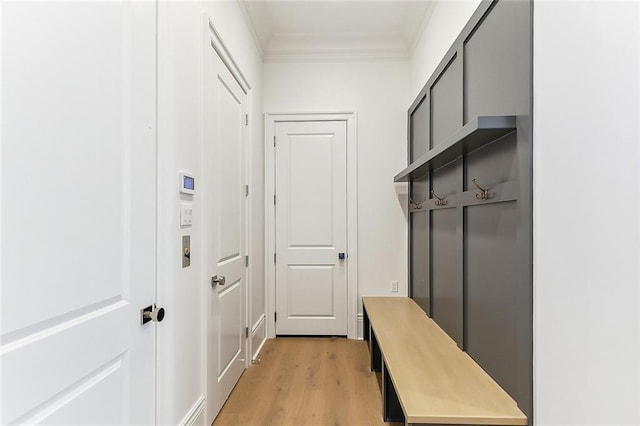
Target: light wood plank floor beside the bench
[{"x": 307, "y": 381}]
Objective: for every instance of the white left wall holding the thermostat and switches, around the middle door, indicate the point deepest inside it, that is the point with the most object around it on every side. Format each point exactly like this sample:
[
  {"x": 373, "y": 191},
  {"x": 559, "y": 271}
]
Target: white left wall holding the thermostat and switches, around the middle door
[{"x": 181, "y": 374}]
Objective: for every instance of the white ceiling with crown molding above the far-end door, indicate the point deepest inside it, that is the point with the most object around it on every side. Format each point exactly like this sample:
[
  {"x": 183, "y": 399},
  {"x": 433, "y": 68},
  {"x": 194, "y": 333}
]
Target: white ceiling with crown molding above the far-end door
[{"x": 336, "y": 30}]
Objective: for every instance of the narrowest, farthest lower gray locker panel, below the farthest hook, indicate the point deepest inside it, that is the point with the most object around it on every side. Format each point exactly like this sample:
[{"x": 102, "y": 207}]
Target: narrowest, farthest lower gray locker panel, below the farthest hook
[{"x": 419, "y": 267}]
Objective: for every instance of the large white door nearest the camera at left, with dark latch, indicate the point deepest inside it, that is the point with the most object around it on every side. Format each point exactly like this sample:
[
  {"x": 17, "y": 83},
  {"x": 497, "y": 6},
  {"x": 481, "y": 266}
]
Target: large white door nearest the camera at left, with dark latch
[{"x": 78, "y": 212}]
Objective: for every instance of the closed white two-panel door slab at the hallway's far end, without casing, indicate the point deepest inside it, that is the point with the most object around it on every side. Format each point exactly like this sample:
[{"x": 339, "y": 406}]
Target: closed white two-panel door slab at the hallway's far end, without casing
[{"x": 311, "y": 227}]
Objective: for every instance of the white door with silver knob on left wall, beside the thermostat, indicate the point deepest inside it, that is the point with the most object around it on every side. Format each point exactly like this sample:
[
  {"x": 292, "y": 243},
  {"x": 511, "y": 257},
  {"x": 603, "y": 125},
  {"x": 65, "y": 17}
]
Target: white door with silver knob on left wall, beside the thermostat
[{"x": 224, "y": 134}]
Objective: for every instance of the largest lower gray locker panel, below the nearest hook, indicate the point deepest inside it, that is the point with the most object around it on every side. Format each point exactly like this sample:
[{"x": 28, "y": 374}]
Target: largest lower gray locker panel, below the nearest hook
[{"x": 491, "y": 287}]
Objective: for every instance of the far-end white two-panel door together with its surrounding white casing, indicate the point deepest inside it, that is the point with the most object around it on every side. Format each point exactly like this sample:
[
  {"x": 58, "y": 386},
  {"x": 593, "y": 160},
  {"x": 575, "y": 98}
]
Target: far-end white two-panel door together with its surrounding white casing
[{"x": 312, "y": 174}]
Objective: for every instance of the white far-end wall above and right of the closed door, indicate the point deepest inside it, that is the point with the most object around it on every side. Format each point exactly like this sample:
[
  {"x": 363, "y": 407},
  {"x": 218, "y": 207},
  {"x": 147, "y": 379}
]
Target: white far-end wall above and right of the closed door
[{"x": 377, "y": 91}]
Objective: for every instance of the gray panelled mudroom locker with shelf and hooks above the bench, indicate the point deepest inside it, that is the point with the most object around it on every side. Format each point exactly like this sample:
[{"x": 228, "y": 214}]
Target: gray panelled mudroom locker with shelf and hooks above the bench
[{"x": 470, "y": 194}]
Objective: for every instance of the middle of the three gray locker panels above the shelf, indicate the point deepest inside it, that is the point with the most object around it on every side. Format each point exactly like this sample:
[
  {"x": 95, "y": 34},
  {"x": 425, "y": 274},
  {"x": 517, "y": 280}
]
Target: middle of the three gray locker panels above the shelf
[{"x": 446, "y": 103}]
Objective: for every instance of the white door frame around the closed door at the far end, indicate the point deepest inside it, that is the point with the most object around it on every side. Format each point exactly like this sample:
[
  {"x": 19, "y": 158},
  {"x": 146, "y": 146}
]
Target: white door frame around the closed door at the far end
[{"x": 352, "y": 211}]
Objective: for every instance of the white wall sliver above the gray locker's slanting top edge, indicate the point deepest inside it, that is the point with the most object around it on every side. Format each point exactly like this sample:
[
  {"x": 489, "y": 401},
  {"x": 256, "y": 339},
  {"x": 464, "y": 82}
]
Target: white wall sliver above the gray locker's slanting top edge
[{"x": 440, "y": 30}]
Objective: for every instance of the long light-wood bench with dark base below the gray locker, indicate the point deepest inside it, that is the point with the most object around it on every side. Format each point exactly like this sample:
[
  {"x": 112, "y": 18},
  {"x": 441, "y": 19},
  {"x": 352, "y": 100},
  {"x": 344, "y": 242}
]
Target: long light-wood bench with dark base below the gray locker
[{"x": 427, "y": 379}]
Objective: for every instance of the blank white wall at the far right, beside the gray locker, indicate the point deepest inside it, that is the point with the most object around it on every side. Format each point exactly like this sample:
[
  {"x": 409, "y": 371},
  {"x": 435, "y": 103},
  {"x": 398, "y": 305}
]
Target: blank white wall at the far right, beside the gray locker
[{"x": 586, "y": 213}]
